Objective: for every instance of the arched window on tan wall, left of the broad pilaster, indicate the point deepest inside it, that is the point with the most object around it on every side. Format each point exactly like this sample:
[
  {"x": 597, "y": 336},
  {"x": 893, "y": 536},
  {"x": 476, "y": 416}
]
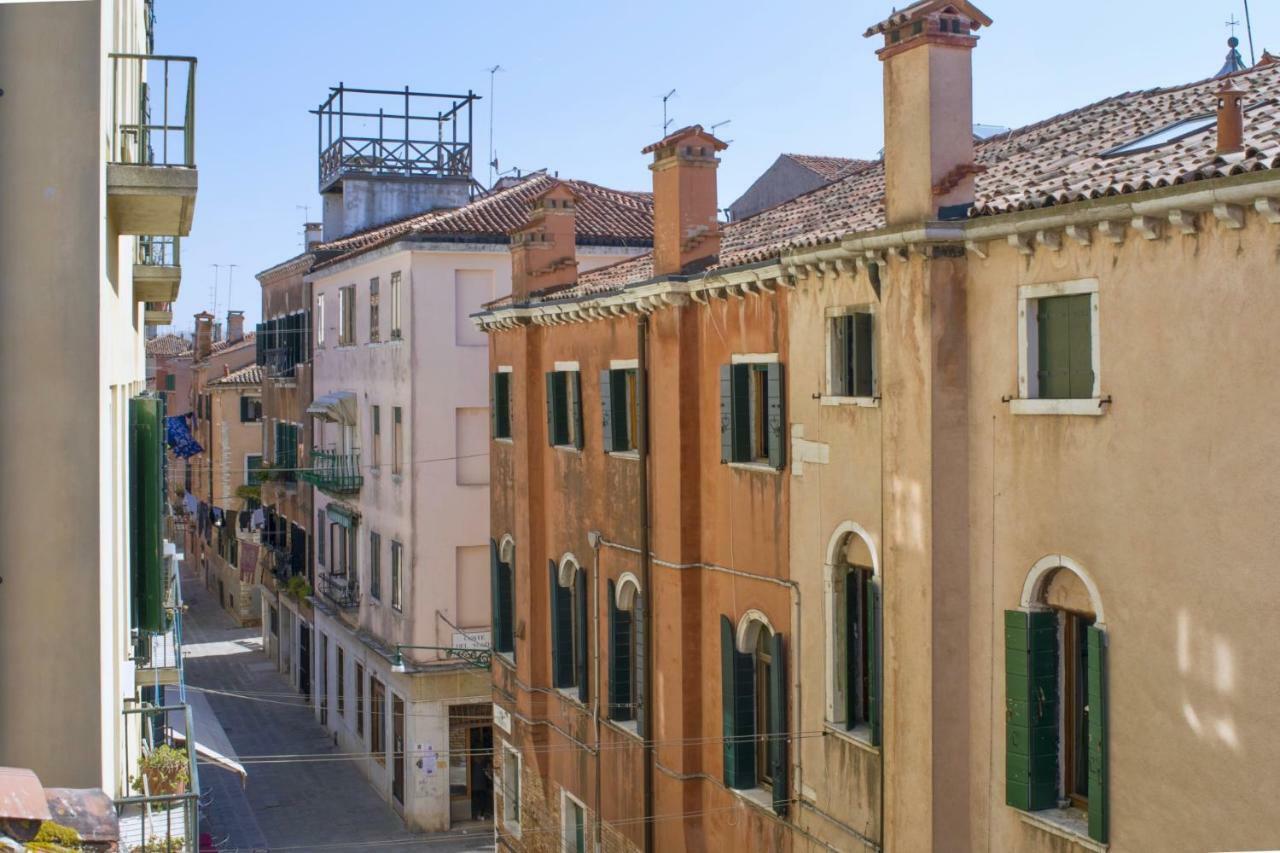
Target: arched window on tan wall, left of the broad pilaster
[{"x": 853, "y": 633}]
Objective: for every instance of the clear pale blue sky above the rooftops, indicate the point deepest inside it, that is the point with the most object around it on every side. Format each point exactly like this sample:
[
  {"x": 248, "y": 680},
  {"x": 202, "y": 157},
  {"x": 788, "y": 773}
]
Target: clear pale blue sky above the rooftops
[{"x": 582, "y": 93}]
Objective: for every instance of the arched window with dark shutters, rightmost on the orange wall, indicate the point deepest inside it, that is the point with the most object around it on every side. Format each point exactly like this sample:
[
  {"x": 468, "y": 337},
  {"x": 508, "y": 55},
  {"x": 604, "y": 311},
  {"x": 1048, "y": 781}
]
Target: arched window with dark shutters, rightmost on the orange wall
[{"x": 755, "y": 704}]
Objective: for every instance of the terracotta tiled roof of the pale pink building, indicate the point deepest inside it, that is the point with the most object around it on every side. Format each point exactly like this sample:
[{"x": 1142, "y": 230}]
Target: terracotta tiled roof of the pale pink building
[{"x": 610, "y": 217}]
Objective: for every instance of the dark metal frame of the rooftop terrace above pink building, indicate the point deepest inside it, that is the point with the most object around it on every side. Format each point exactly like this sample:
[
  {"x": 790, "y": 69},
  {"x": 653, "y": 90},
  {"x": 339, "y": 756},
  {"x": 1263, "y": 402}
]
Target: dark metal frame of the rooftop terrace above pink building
[{"x": 383, "y": 133}]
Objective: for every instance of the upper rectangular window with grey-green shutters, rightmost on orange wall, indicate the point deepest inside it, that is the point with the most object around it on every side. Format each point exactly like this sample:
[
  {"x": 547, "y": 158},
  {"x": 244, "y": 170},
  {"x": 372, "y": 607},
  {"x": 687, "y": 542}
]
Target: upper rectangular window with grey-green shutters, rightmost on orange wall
[{"x": 753, "y": 414}]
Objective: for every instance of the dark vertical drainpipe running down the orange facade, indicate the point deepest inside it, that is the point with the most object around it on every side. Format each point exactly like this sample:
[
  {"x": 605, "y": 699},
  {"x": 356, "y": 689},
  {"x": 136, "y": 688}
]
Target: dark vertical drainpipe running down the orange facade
[{"x": 646, "y": 576}]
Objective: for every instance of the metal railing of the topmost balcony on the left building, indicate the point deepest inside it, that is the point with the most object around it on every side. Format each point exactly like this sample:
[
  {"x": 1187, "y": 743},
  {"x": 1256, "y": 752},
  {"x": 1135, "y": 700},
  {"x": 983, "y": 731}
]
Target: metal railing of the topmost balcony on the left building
[{"x": 154, "y": 111}]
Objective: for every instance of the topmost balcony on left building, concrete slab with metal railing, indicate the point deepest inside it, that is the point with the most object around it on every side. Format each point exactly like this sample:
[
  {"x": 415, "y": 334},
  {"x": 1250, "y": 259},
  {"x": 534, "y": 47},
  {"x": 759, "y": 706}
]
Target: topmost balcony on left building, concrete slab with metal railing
[{"x": 152, "y": 170}]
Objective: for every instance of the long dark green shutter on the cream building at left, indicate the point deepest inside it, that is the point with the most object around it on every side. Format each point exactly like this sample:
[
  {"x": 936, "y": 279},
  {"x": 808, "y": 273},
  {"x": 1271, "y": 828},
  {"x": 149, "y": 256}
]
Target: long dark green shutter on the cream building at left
[{"x": 147, "y": 505}]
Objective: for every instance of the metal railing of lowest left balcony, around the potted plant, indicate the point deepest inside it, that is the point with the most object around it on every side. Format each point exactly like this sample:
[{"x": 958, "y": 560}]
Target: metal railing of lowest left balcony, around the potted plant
[{"x": 153, "y": 819}]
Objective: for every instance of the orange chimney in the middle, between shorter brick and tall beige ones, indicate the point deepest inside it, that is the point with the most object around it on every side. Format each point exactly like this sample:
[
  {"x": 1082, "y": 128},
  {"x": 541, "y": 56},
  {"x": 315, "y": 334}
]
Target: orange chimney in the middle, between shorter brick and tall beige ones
[{"x": 685, "y": 223}]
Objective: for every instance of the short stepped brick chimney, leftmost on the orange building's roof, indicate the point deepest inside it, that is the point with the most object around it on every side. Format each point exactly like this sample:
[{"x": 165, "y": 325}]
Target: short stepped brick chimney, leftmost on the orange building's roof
[{"x": 545, "y": 250}]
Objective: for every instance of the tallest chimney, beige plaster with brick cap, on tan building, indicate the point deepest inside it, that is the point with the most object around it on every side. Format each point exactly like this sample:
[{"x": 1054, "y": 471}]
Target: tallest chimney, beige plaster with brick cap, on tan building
[{"x": 929, "y": 110}]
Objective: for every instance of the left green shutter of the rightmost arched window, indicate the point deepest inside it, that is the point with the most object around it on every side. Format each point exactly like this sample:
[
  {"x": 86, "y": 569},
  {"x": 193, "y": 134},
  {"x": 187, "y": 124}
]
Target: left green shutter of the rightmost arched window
[{"x": 1032, "y": 705}]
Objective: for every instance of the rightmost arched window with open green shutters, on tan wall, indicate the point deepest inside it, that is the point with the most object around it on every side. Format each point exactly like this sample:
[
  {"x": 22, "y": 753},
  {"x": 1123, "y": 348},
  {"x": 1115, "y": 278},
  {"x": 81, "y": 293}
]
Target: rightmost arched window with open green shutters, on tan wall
[{"x": 1055, "y": 676}]
